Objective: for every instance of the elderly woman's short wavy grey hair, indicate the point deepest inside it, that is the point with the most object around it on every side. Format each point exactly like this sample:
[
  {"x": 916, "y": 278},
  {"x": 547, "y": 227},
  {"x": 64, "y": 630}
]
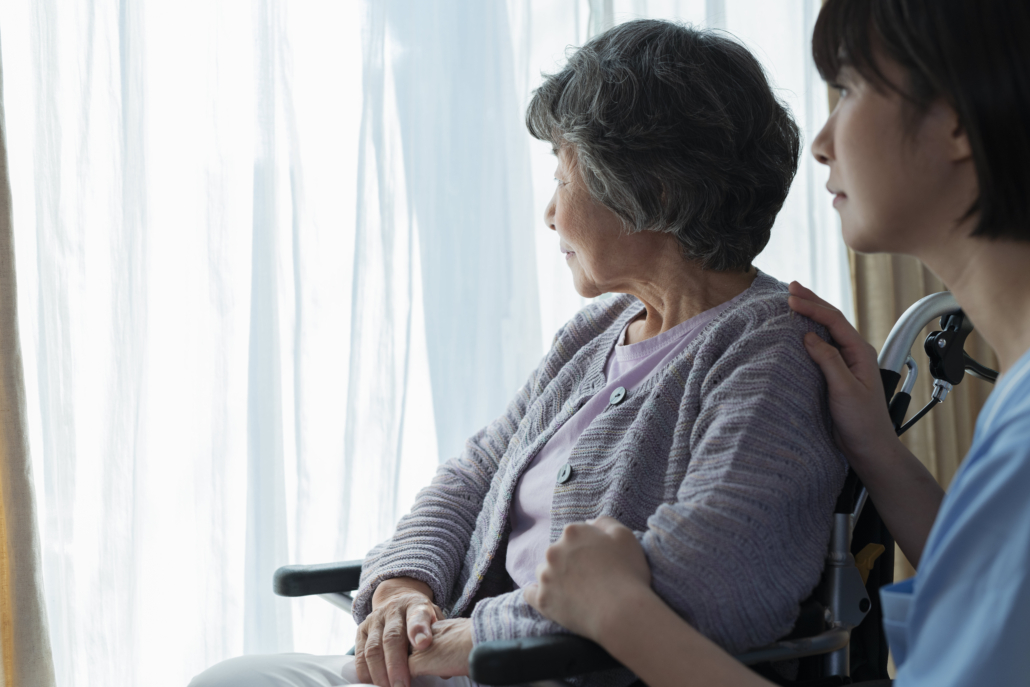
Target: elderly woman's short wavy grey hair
[{"x": 675, "y": 130}]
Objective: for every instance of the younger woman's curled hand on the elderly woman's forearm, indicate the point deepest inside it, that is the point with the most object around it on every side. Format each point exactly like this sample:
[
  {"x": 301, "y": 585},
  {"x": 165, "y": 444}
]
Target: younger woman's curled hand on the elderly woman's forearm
[{"x": 592, "y": 562}]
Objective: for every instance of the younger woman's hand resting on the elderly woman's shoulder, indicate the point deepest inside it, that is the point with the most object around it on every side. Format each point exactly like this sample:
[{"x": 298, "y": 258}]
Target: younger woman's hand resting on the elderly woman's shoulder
[{"x": 862, "y": 425}]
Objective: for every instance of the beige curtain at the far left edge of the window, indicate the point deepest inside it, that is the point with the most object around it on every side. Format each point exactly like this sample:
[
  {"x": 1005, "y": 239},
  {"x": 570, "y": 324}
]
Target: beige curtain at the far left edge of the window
[{"x": 24, "y": 640}]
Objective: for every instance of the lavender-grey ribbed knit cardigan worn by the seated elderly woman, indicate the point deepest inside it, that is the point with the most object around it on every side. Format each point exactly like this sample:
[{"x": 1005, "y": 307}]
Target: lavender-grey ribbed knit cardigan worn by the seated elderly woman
[{"x": 724, "y": 464}]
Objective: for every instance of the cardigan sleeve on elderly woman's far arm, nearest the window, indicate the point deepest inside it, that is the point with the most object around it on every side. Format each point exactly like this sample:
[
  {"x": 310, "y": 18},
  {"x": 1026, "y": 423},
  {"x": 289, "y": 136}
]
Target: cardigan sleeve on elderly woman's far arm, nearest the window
[{"x": 432, "y": 541}]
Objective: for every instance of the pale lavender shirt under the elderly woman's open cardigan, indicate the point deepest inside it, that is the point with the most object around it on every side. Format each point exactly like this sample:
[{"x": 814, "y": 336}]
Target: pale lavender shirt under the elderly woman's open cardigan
[{"x": 629, "y": 367}]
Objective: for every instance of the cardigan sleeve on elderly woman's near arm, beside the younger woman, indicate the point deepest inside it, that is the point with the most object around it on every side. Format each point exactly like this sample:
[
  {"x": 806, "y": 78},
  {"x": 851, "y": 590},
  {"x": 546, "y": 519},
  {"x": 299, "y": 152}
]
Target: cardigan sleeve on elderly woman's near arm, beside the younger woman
[{"x": 746, "y": 541}]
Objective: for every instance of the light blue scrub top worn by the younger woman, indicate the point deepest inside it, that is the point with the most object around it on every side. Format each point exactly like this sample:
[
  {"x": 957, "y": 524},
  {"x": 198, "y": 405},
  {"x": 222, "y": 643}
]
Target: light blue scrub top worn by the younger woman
[{"x": 965, "y": 620}]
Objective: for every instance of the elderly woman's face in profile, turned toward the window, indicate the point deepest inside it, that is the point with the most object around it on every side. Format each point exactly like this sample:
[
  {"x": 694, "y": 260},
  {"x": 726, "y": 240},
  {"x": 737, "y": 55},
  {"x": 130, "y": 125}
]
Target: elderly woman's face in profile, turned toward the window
[{"x": 601, "y": 254}]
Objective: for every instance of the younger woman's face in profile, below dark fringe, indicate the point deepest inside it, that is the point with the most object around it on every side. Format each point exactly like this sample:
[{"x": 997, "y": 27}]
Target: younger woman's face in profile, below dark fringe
[{"x": 896, "y": 189}]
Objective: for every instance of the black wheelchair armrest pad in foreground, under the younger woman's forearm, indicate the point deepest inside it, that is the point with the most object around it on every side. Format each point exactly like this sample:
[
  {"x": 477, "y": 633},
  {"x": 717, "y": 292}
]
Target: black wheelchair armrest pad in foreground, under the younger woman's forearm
[{"x": 551, "y": 658}]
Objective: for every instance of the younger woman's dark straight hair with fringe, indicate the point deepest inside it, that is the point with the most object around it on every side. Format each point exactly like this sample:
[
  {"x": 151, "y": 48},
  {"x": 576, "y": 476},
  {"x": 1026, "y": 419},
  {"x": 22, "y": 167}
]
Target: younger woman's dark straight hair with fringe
[{"x": 976, "y": 54}]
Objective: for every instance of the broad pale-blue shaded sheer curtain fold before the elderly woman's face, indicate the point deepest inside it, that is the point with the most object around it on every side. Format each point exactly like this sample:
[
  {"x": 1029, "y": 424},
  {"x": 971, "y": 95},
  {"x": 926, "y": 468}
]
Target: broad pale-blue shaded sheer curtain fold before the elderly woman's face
[{"x": 468, "y": 187}]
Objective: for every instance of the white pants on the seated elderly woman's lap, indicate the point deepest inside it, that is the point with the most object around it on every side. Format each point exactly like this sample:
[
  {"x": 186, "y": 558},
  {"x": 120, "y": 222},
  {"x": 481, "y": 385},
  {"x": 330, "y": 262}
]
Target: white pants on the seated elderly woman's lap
[{"x": 298, "y": 671}]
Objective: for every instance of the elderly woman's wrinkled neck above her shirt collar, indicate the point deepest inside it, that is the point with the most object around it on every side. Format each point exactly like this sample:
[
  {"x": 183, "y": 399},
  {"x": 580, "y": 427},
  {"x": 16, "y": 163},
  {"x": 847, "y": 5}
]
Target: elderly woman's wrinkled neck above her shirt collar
[{"x": 674, "y": 296}]
